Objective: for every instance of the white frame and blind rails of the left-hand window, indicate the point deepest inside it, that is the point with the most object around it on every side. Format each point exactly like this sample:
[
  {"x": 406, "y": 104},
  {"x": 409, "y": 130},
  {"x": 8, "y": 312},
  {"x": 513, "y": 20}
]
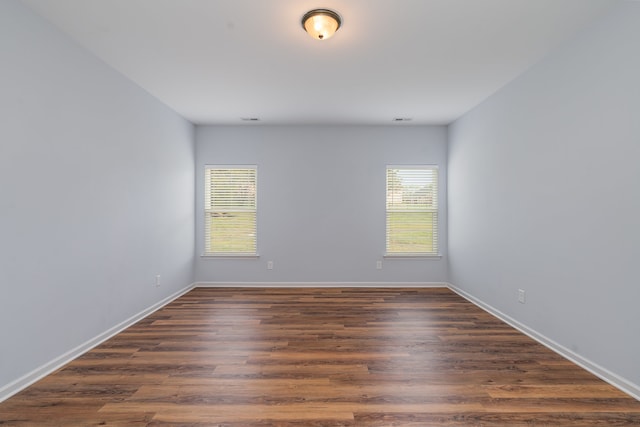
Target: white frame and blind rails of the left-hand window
[{"x": 231, "y": 209}]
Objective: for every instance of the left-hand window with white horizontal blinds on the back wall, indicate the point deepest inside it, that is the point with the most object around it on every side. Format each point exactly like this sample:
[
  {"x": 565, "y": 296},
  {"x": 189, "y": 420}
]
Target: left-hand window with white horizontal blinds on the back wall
[{"x": 230, "y": 210}]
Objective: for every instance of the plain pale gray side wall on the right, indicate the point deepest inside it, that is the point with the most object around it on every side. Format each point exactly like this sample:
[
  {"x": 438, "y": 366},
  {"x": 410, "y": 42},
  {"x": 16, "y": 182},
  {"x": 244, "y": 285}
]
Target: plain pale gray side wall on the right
[{"x": 544, "y": 182}]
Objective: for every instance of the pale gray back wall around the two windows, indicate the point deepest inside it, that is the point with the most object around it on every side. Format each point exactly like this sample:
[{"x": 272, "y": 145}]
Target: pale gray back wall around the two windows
[{"x": 321, "y": 201}]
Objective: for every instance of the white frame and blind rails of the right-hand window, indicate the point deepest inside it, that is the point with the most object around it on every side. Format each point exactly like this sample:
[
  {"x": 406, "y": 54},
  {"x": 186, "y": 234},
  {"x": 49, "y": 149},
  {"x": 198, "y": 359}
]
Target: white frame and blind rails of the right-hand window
[{"x": 433, "y": 209}]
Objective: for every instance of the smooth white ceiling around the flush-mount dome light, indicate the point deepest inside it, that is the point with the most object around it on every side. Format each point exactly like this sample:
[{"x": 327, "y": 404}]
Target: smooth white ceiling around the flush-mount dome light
[{"x": 217, "y": 61}]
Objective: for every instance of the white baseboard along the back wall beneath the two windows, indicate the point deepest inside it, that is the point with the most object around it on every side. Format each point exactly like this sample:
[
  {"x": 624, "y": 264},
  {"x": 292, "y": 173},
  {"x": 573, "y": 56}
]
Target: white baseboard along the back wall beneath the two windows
[{"x": 322, "y": 284}]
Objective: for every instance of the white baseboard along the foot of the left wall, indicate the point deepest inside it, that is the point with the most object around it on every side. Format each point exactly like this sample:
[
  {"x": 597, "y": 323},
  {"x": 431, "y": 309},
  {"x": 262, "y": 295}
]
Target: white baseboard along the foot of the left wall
[{"x": 26, "y": 380}]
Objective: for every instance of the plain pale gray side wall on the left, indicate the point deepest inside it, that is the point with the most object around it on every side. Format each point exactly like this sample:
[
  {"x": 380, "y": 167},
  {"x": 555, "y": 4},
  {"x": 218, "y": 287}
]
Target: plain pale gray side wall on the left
[{"x": 96, "y": 181}]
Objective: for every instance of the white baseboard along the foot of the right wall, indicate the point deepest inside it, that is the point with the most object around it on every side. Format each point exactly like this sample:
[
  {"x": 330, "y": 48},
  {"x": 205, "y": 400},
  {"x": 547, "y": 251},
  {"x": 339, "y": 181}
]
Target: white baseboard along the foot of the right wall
[{"x": 597, "y": 370}]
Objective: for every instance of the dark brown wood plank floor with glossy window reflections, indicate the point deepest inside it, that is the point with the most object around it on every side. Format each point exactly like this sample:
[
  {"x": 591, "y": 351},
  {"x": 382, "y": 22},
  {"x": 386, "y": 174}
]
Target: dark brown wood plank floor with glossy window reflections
[{"x": 320, "y": 357}]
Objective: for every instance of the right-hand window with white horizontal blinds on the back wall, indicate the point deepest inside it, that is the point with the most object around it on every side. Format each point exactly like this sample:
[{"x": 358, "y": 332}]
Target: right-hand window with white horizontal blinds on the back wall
[{"x": 412, "y": 211}]
